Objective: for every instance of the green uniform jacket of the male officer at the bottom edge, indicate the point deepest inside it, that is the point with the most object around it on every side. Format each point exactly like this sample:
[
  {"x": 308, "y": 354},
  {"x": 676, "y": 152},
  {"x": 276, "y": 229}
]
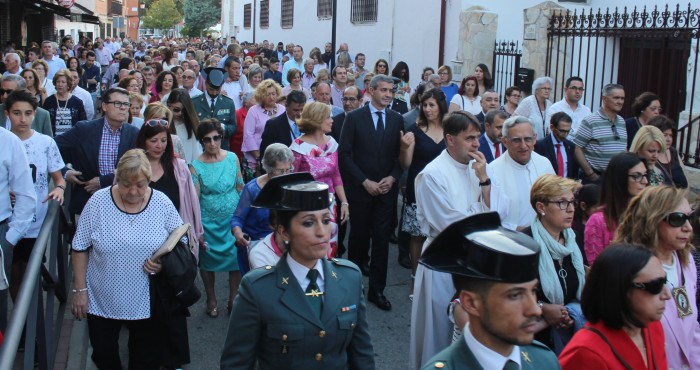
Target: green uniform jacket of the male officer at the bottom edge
[{"x": 535, "y": 356}]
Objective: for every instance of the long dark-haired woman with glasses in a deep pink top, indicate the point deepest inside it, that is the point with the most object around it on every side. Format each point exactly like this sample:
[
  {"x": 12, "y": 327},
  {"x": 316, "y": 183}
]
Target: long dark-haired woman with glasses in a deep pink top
[{"x": 625, "y": 177}]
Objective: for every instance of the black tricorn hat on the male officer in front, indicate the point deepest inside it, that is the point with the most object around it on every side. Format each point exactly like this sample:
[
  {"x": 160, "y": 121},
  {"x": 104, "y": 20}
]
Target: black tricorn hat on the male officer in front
[{"x": 479, "y": 247}]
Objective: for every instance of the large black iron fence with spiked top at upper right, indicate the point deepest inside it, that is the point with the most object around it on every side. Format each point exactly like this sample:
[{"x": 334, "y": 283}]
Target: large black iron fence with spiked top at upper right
[{"x": 642, "y": 50}]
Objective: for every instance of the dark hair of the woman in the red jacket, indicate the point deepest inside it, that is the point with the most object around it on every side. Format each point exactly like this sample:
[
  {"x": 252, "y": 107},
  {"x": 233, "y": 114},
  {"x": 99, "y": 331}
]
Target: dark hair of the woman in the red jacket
[{"x": 605, "y": 294}]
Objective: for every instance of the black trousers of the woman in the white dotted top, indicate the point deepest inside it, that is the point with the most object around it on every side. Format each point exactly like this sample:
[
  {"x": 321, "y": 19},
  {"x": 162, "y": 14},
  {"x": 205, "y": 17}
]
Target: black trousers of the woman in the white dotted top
[{"x": 104, "y": 337}]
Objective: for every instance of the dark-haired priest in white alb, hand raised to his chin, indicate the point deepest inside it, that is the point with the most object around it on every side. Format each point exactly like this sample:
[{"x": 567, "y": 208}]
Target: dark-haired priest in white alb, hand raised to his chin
[{"x": 451, "y": 187}]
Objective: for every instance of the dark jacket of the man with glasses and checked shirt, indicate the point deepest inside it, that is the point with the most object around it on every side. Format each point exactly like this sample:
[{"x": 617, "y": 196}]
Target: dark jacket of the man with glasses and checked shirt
[{"x": 81, "y": 146}]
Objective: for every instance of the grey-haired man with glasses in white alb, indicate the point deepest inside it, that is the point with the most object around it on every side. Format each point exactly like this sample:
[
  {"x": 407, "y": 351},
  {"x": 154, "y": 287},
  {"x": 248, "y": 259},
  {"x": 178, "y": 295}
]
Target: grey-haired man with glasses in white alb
[{"x": 516, "y": 171}]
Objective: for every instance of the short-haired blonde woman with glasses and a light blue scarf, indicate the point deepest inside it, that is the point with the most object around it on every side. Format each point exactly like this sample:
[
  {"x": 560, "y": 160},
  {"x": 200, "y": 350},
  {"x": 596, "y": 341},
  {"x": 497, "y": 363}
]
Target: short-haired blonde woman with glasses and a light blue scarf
[{"x": 561, "y": 272}]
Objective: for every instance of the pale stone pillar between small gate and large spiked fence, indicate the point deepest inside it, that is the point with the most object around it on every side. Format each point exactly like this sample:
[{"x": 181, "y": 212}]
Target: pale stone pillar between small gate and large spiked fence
[{"x": 535, "y": 37}]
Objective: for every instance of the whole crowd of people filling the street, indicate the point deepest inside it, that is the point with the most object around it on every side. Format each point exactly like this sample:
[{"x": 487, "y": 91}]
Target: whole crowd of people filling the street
[{"x": 519, "y": 217}]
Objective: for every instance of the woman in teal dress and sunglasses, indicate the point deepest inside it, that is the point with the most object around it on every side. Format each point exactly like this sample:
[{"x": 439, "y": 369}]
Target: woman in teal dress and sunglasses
[{"x": 217, "y": 174}]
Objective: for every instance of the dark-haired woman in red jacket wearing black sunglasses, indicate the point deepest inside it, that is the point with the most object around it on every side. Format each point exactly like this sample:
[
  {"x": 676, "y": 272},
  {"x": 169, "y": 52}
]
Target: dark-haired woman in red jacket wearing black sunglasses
[{"x": 624, "y": 332}]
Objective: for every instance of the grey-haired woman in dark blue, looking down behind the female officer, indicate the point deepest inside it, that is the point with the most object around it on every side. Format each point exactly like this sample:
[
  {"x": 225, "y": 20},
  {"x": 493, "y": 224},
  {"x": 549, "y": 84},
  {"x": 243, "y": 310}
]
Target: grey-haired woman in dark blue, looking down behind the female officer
[{"x": 251, "y": 225}]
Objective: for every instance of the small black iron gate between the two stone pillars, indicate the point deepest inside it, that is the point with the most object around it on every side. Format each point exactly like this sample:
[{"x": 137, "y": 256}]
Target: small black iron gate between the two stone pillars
[{"x": 506, "y": 61}]
